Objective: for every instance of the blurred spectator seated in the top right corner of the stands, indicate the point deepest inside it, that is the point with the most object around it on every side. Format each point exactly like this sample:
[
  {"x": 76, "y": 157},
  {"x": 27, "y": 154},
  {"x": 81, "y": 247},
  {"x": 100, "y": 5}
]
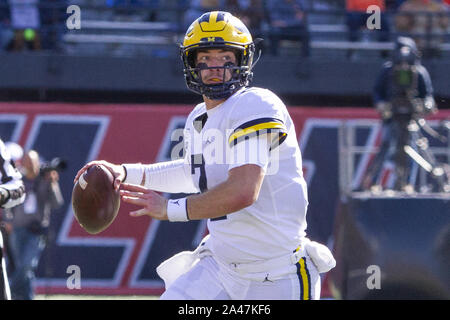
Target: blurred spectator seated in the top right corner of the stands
[{"x": 417, "y": 18}]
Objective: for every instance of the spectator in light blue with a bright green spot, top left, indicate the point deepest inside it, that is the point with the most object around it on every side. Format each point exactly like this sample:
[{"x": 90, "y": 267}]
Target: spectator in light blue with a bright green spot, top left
[{"x": 26, "y": 23}]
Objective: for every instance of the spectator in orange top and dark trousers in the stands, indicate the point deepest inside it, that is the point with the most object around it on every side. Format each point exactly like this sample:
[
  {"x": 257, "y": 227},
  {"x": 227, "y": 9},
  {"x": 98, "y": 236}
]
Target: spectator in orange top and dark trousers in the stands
[{"x": 357, "y": 16}]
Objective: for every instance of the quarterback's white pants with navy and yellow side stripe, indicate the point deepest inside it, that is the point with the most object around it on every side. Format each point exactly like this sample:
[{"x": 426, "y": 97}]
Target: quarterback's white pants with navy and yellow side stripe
[{"x": 207, "y": 281}]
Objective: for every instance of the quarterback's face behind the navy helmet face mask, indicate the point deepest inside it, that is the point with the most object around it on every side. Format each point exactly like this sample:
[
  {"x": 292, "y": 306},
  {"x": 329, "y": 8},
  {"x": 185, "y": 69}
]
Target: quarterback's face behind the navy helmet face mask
[{"x": 215, "y": 58}]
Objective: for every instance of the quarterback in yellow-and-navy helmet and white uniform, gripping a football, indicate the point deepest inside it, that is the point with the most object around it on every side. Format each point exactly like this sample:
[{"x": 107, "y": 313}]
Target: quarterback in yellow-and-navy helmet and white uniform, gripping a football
[{"x": 243, "y": 162}]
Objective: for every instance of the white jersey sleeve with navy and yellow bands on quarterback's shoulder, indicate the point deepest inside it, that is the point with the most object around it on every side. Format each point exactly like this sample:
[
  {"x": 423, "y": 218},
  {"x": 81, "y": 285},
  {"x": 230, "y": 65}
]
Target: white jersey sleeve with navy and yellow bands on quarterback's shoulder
[{"x": 256, "y": 113}]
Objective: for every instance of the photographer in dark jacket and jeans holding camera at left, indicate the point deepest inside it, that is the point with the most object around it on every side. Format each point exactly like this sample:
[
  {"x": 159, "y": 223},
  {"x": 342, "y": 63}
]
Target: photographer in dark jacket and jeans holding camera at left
[{"x": 30, "y": 221}]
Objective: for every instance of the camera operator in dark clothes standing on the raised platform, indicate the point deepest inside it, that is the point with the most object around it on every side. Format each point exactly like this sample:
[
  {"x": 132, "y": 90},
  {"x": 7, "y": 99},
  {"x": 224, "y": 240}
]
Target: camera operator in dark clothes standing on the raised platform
[{"x": 403, "y": 92}]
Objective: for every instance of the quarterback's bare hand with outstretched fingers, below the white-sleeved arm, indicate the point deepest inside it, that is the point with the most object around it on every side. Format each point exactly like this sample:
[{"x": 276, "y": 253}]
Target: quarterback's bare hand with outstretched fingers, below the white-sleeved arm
[{"x": 153, "y": 204}]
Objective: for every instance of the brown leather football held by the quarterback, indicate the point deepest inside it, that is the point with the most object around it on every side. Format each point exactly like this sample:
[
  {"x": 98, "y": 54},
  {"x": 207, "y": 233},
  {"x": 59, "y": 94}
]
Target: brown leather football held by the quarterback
[{"x": 95, "y": 203}]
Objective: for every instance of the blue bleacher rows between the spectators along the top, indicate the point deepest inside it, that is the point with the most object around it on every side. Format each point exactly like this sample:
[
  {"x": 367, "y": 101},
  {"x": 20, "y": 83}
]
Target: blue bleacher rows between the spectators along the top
[{"x": 122, "y": 28}]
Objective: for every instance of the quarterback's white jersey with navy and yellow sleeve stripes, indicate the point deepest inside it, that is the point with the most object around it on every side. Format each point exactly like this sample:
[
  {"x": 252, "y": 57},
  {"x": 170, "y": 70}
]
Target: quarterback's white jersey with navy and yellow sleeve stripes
[{"x": 274, "y": 225}]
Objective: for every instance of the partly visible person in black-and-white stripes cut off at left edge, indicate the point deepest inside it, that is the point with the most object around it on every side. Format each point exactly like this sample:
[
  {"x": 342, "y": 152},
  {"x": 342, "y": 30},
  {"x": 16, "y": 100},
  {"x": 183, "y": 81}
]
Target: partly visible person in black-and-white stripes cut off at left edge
[{"x": 12, "y": 193}]
